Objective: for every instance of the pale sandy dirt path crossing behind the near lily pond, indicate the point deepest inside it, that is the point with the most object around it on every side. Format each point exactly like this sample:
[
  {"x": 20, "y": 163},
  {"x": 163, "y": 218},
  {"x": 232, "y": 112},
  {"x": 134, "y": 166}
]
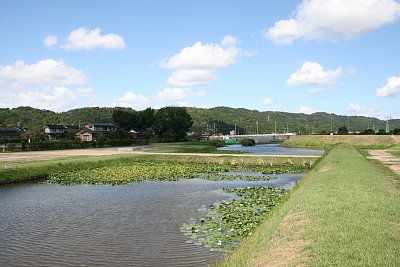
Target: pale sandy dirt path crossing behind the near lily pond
[{"x": 55, "y": 154}]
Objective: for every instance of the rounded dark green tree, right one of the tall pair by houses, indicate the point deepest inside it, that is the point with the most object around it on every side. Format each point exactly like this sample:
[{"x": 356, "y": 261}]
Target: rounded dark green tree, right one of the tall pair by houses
[{"x": 171, "y": 124}]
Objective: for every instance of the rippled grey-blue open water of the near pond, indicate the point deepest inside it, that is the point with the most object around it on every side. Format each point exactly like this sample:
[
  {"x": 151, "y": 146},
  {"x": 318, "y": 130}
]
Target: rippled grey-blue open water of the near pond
[{"x": 132, "y": 225}]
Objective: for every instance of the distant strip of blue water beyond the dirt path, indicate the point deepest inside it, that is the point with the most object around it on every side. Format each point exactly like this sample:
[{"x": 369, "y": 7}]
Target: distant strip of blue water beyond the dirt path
[{"x": 272, "y": 149}]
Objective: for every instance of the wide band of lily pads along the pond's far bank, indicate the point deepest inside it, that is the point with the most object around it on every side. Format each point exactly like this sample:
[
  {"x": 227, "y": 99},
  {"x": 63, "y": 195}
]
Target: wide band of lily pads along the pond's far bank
[{"x": 140, "y": 171}]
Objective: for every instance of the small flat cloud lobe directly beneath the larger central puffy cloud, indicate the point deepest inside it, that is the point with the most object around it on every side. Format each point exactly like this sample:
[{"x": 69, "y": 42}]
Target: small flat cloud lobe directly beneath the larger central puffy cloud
[{"x": 191, "y": 77}]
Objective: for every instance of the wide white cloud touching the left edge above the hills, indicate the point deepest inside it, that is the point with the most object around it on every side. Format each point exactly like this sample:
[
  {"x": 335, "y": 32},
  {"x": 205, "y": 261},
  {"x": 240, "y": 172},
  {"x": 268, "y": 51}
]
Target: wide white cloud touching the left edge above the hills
[{"x": 49, "y": 72}]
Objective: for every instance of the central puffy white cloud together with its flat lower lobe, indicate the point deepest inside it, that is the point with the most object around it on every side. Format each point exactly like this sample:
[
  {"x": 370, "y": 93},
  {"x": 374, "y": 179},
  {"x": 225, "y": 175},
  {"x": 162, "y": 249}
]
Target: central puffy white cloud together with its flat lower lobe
[{"x": 195, "y": 65}]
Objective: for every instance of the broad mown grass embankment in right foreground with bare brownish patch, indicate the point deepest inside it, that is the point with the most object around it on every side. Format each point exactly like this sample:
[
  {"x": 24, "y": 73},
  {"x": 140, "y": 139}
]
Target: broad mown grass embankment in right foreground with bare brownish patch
[{"x": 346, "y": 212}]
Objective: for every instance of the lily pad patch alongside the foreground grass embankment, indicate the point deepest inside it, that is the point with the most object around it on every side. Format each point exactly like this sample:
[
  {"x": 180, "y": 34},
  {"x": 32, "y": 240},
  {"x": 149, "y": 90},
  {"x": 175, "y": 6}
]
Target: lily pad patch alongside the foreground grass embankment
[{"x": 227, "y": 223}]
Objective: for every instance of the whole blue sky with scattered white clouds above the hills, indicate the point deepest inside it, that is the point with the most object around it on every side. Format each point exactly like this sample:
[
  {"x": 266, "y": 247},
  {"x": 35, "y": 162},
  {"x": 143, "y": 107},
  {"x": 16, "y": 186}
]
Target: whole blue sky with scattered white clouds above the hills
[{"x": 335, "y": 56}]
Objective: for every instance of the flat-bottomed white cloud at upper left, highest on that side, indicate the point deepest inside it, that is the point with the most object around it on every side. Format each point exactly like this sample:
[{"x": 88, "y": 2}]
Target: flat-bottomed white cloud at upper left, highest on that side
[{"x": 87, "y": 39}]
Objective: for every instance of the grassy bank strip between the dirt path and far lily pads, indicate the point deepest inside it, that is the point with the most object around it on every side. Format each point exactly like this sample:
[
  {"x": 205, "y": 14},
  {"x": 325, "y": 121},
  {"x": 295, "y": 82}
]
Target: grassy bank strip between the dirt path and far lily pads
[{"x": 41, "y": 170}]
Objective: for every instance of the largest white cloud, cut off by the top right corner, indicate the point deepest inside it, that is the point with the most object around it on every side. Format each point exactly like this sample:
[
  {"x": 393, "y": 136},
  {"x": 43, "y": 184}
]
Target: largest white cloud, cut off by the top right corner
[{"x": 333, "y": 20}]
